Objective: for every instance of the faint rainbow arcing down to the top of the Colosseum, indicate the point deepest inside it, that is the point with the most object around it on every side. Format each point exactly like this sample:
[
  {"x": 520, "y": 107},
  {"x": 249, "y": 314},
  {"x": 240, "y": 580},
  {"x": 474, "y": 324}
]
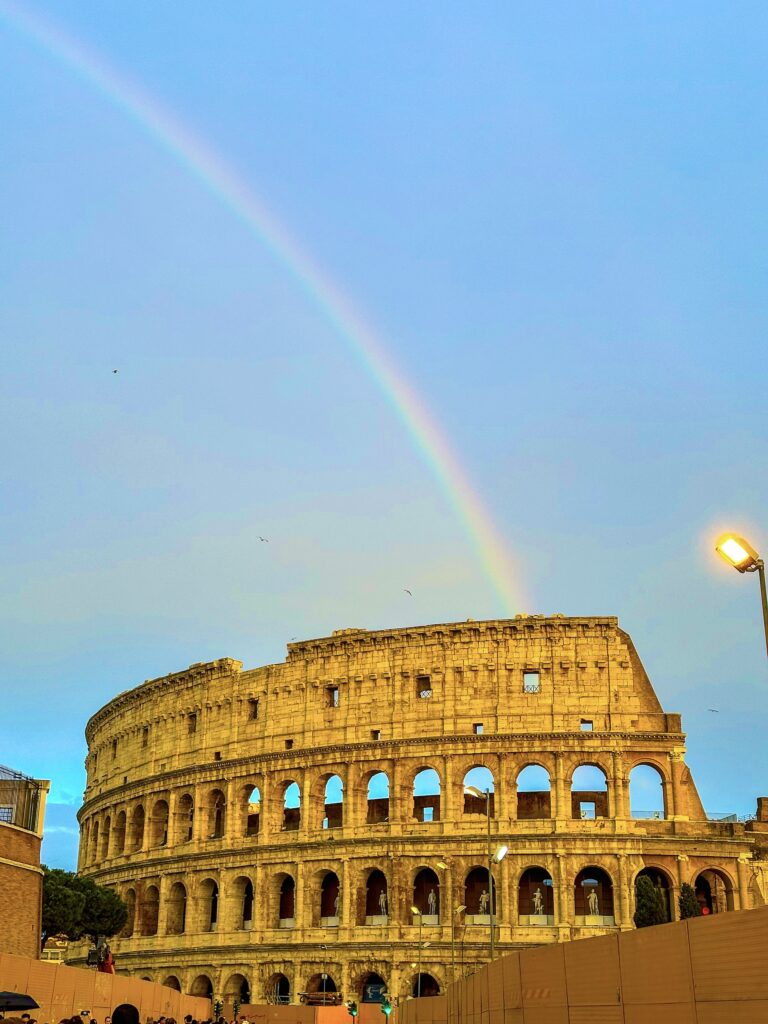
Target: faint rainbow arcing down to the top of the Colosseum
[{"x": 220, "y": 180}]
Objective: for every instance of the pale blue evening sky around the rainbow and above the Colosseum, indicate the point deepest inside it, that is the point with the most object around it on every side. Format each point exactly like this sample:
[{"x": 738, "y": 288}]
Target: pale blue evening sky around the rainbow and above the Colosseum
[{"x": 556, "y": 217}]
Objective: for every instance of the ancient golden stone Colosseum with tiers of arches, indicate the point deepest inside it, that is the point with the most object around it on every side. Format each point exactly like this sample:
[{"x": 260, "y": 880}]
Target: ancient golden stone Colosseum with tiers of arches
[{"x": 334, "y": 823}]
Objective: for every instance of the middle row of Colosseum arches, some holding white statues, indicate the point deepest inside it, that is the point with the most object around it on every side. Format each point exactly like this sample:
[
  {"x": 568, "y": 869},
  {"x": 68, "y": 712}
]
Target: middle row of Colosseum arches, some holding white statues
[{"x": 200, "y": 910}]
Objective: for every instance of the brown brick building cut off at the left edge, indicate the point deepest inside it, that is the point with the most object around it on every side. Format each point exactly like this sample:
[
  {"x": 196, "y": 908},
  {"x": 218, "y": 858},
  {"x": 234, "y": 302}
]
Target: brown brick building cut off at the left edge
[{"x": 22, "y": 810}]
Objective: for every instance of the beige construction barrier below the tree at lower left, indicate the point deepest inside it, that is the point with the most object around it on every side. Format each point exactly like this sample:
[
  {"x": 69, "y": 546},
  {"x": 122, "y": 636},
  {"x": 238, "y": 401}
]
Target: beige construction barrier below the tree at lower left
[{"x": 64, "y": 992}]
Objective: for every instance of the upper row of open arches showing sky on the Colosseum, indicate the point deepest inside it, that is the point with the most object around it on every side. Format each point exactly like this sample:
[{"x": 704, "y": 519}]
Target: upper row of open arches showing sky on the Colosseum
[{"x": 129, "y": 833}]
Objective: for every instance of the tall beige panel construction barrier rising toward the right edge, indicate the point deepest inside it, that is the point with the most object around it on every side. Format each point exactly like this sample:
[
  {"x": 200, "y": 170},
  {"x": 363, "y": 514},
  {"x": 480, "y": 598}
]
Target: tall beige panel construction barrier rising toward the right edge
[{"x": 704, "y": 971}]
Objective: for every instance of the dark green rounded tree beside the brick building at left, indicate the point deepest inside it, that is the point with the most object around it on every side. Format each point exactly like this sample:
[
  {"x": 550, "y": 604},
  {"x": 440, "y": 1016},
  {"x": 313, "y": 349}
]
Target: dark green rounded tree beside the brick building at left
[{"x": 75, "y": 907}]
